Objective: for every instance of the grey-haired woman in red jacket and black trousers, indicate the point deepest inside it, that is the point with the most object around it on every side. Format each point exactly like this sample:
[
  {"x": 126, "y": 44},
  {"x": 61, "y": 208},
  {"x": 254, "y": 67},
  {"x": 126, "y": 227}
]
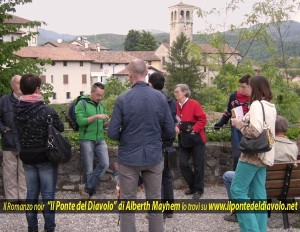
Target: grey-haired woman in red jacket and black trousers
[{"x": 191, "y": 139}]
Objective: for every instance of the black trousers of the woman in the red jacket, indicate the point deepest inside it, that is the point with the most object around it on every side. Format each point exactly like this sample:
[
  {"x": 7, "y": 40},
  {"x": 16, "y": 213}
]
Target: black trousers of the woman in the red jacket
[{"x": 195, "y": 179}]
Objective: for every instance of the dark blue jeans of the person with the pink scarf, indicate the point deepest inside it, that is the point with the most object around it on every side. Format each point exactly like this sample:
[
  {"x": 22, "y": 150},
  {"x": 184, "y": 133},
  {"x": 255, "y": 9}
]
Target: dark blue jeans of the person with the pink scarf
[{"x": 41, "y": 178}]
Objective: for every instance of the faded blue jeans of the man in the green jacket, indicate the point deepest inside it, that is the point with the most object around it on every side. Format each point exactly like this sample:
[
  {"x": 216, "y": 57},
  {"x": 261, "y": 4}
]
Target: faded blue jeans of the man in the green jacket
[{"x": 89, "y": 150}]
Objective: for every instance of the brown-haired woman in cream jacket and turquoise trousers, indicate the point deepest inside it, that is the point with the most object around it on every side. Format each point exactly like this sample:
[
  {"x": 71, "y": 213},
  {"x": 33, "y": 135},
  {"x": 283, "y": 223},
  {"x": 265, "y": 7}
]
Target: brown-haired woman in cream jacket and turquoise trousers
[{"x": 250, "y": 175}]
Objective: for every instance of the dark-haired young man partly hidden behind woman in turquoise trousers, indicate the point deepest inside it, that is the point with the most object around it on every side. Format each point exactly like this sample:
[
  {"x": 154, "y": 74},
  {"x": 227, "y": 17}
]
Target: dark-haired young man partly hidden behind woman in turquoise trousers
[{"x": 238, "y": 98}]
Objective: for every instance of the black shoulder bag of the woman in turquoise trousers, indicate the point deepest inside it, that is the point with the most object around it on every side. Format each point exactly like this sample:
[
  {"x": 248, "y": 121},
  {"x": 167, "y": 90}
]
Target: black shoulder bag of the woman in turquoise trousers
[{"x": 263, "y": 143}]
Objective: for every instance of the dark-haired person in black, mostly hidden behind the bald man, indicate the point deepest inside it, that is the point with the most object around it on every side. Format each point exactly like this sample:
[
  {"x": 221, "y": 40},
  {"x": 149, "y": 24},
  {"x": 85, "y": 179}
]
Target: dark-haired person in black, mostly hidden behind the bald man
[{"x": 157, "y": 81}]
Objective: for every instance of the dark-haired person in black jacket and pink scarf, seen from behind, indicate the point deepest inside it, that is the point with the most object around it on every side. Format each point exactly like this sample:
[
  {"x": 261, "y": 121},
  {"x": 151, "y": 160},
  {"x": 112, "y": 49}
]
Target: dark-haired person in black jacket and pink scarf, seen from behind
[{"x": 31, "y": 115}]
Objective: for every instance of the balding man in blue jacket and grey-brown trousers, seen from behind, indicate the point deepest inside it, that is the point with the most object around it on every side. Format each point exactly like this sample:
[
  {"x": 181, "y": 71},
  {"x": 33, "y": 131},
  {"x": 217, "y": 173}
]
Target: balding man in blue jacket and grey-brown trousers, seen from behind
[{"x": 138, "y": 120}]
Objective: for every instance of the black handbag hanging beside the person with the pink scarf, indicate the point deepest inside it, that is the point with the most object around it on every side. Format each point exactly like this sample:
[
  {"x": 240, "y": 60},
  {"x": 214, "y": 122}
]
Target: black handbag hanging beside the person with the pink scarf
[{"x": 59, "y": 149}]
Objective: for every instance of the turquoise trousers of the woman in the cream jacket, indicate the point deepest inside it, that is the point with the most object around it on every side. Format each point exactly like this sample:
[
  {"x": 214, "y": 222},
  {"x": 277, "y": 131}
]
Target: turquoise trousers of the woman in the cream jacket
[{"x": 250, "y": 179}]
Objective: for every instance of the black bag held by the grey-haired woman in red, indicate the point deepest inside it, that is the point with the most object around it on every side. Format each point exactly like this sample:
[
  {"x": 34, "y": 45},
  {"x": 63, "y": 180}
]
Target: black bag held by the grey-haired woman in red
[{"x": 188, "y": 137}]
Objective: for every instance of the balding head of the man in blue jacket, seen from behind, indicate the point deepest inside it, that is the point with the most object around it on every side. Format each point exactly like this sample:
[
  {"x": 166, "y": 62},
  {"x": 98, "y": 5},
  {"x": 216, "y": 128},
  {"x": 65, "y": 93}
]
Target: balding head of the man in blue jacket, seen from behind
[{"x": 137, "y": 70}]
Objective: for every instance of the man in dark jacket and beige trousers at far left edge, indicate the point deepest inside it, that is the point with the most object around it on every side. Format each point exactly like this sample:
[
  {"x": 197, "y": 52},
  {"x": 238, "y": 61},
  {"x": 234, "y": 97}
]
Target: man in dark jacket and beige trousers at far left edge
[{"x": 13, "y": 172}]
